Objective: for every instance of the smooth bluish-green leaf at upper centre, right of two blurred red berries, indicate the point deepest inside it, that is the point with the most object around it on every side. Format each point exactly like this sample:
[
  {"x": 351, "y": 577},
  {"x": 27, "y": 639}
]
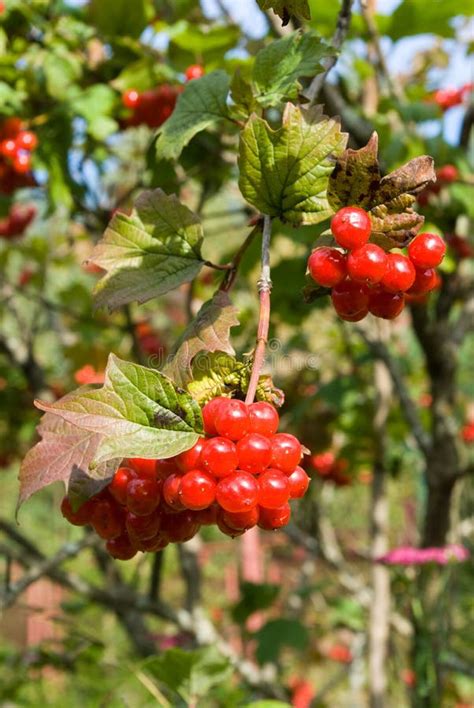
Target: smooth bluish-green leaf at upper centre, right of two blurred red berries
[{"x": 202, "y": 104}]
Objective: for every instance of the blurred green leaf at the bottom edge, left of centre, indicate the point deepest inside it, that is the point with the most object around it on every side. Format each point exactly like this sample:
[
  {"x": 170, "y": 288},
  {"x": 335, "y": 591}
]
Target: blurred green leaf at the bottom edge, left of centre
[{"x": 191, "y": 674}]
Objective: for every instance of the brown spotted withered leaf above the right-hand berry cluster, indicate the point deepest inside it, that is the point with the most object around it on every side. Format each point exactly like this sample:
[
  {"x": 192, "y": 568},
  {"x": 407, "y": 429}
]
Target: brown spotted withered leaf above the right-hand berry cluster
[{"x": 356, "y": 180}]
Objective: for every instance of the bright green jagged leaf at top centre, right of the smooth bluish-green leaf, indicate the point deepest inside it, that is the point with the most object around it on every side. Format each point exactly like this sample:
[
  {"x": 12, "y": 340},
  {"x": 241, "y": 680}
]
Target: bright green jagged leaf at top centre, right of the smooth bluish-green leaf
[{"x": 279, "y": 66}]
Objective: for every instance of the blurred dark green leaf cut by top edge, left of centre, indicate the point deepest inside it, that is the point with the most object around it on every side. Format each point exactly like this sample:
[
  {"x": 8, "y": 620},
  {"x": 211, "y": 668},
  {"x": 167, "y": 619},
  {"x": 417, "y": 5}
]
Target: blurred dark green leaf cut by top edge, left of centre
[{"x": 116, "y": 17}]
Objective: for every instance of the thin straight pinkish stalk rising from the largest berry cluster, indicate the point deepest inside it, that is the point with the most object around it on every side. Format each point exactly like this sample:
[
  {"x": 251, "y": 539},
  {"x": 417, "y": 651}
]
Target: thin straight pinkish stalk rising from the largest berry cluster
[{"x": 264, "y": 289}]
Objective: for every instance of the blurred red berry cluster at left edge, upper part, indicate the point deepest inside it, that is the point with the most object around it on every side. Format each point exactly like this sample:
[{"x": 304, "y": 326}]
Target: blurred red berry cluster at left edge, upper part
[{"x": 16, "y": 146}]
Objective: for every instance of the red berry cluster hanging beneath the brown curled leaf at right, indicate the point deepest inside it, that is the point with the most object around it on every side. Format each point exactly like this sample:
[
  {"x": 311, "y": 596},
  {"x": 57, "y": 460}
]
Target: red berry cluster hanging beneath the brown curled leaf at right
[{"x": 364, "y": 278}]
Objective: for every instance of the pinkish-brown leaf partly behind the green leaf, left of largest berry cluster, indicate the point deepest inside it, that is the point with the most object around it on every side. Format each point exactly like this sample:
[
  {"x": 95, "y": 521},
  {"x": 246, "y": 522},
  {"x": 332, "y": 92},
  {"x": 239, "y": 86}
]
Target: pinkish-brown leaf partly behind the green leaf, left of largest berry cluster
[{"x": 64, "y": 454}]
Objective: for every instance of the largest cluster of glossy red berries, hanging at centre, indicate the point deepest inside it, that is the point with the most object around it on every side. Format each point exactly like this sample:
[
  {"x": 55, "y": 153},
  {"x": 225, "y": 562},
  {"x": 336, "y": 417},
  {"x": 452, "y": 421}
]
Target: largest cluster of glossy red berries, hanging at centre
[{"x": 241, "y": 475}]
